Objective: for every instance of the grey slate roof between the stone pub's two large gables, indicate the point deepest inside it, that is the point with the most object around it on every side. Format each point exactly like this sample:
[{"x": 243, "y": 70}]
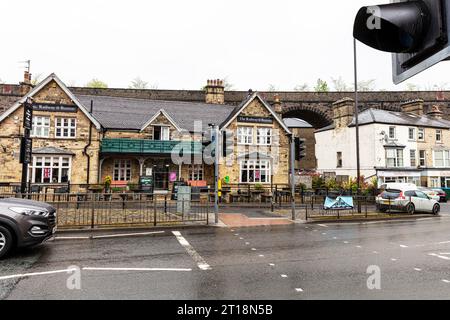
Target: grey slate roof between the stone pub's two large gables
[{"x": 132, "y": 114}]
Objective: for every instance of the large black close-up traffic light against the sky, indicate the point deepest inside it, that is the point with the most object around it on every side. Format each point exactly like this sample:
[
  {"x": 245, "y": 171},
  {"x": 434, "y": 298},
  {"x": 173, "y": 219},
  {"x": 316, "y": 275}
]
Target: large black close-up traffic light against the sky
[{"x": 415, "y": 31}]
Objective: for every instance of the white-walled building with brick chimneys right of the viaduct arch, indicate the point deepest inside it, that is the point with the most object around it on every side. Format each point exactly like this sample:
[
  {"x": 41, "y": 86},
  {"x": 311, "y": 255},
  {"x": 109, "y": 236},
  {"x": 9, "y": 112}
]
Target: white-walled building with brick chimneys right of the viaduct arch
[{"x": 409, "y": 146}]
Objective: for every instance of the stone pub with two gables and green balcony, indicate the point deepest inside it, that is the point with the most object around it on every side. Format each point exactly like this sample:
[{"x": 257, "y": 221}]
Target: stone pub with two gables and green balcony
[{"x": 83, "y": 139}]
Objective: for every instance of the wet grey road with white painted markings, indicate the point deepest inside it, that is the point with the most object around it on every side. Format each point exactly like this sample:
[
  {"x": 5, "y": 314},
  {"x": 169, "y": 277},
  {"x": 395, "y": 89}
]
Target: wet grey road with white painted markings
[{"x": 410, "y": 260}]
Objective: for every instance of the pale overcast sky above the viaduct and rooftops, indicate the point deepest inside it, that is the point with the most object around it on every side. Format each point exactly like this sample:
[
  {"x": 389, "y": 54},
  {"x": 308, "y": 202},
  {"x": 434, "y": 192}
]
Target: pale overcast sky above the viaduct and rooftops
[{"x": 178, "y": 44}]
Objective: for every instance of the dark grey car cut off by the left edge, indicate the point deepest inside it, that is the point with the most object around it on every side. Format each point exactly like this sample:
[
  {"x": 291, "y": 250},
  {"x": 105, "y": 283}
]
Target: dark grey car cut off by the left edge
[{"x": 24, "y": 223}]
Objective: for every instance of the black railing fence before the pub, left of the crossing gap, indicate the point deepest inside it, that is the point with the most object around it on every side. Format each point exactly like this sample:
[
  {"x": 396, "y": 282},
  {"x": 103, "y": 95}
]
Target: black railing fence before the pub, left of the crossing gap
[{"x": 102, "y": 210}]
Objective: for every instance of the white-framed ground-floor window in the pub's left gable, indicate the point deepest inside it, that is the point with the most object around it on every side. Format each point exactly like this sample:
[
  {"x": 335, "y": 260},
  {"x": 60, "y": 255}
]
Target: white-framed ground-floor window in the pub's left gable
[{"x": 50, "y": 169}]
